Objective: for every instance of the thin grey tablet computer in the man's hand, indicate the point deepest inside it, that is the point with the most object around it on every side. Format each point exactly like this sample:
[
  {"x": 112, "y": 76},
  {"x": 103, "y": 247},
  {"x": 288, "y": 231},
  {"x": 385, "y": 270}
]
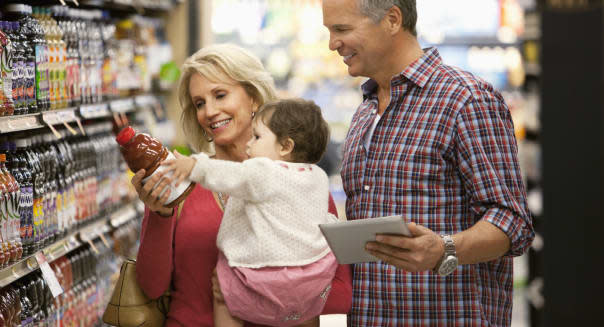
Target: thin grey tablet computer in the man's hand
[{"x": 347, "y": 239}]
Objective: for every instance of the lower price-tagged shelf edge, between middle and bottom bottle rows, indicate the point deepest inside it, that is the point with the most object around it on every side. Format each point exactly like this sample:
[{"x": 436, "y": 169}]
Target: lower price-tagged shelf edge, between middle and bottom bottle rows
[{"x": 64, "y": 246}]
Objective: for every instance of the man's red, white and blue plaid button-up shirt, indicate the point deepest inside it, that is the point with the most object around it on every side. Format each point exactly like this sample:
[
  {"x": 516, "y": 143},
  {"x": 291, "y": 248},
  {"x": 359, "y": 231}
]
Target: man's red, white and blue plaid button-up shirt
[{"x": 443, "y": 155}]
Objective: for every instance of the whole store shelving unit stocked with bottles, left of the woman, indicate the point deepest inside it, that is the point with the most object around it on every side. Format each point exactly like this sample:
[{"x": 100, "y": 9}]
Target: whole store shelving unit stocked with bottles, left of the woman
[{"x": 131, "y": 31}]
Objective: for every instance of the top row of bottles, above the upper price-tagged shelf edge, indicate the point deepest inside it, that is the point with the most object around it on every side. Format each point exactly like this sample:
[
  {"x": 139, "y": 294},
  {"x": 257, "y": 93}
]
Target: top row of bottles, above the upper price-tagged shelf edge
[{"x": 57, "y": 57}]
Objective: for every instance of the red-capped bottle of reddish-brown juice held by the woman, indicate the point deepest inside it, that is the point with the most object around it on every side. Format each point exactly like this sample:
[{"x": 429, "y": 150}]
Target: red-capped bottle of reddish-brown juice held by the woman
[{"x": 141, "y": 151}]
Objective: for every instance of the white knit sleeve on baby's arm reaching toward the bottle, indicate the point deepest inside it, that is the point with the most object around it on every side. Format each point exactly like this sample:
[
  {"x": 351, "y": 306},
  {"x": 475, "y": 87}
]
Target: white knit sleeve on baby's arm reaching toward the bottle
[{"x": 253, "y": 180}]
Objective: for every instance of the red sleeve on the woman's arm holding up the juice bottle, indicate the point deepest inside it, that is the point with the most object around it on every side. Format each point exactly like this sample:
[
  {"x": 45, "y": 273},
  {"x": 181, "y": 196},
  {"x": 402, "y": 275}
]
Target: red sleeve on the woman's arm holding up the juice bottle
[{"x": 154, "y": 259}]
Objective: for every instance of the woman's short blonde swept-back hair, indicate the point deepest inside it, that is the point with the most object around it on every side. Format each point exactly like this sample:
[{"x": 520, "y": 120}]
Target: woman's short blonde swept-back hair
[{"x": 221, "y": 63}]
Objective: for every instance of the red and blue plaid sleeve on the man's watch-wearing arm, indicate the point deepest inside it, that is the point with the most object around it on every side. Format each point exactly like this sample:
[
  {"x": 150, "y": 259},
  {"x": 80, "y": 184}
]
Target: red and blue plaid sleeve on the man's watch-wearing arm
[{"x": 488, "y": 163}]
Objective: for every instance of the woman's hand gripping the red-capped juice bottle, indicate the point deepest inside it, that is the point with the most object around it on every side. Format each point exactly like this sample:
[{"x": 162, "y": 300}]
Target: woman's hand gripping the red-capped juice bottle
[{"x": 150, "y": 192}]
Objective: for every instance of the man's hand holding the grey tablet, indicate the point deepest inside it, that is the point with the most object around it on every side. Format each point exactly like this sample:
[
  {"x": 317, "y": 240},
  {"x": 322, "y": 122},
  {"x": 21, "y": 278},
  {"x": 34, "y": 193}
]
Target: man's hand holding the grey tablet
[{"x": 420, "y": 252}]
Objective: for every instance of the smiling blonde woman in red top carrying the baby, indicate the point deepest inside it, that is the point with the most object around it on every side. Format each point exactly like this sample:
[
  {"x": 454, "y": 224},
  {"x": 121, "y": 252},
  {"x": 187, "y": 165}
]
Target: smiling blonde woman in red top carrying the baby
[{"x": 221, "y": 89}]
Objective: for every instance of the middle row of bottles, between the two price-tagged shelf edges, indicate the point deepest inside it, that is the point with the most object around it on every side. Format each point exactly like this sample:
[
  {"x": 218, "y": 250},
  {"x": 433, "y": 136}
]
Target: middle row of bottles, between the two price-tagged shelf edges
[{"x": 49, "y": 186}]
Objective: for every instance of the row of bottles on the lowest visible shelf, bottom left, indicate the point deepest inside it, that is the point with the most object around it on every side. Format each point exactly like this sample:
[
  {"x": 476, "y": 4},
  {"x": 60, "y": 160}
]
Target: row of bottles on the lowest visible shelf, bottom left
[{"x": 85, "y": 277}]
